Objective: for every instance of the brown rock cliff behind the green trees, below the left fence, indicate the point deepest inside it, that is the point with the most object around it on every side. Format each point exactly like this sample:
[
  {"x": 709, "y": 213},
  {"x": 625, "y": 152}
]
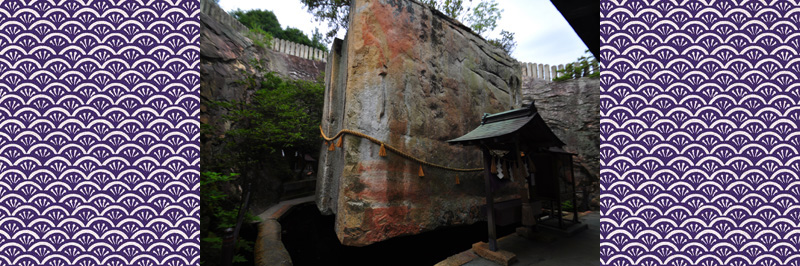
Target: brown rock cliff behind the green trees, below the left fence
[{"x": 227, "y": 58}]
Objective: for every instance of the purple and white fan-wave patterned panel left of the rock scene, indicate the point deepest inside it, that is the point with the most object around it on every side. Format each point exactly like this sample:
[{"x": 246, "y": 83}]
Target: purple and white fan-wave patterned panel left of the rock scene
[{"x": 99, "y": 133}]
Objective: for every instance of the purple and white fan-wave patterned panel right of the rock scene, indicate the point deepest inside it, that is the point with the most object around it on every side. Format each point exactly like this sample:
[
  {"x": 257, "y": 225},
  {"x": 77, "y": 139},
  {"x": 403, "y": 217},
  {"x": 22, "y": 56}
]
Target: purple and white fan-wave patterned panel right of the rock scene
[{"x": 701, "y": 106}]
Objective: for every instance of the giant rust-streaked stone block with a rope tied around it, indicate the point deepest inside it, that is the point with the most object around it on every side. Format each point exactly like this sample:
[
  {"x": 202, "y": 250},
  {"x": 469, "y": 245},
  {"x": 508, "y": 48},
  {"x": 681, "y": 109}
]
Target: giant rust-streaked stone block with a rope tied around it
[{"x": 414, "y": 78}]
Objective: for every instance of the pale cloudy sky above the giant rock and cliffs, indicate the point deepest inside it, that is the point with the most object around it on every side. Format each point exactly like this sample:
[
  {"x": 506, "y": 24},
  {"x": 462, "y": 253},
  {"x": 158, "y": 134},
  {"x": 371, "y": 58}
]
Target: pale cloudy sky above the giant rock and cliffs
[{"x": 542, "y": 34}]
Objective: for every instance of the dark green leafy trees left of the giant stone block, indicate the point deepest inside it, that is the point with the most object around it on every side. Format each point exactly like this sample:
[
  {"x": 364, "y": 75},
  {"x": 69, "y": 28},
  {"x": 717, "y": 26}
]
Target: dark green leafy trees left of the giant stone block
[{"x": 281, "y": 114}]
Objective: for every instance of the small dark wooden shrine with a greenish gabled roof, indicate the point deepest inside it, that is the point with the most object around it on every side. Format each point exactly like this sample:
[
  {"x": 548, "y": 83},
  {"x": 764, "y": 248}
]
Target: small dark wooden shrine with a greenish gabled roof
[{"x": 519, "y": 146}]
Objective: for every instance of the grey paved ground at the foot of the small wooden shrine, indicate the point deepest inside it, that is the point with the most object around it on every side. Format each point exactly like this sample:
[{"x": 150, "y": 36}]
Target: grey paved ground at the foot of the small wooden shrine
[{"x": 580, "y": 249}]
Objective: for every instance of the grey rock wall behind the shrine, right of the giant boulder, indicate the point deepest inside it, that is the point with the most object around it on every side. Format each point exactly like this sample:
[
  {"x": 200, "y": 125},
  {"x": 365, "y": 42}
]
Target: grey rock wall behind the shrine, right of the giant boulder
[{"x": 572, "y": 110}]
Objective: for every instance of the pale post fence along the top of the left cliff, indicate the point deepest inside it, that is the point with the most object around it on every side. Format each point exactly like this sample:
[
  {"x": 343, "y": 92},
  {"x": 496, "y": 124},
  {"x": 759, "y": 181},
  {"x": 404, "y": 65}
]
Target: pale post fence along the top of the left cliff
[{"x": 211, "y": 9}]
